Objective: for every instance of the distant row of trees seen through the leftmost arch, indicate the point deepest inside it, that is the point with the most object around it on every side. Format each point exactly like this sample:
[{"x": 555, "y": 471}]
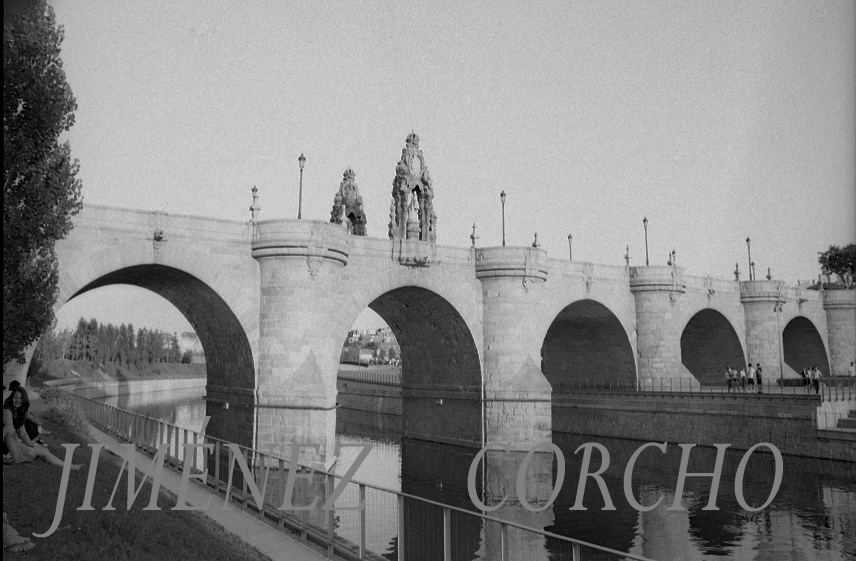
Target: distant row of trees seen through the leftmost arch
[{"x": 123, "y": 346}]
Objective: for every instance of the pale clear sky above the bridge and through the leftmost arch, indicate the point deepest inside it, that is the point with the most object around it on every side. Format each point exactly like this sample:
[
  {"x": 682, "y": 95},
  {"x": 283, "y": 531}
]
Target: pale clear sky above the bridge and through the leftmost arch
[{"x": 717, "y": 120}]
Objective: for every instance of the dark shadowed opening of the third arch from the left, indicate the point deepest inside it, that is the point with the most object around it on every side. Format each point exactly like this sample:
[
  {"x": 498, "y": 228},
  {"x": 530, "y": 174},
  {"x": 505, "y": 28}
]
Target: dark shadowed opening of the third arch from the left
[{"x": 586, "y": 342}]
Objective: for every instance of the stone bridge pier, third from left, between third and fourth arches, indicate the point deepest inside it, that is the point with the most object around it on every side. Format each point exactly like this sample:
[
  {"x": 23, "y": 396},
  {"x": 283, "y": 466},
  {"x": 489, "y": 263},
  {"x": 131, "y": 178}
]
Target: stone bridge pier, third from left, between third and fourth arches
[{"x": 656, "y": 291}]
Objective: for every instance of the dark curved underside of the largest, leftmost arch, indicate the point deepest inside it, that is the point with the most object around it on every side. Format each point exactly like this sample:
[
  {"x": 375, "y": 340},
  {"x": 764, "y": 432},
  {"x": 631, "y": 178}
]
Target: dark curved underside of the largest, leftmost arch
[{"x": 228, "y": 355}]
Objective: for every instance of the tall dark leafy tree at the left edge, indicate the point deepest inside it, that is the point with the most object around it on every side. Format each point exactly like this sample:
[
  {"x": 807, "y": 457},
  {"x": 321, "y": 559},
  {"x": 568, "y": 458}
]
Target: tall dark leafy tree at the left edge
[{"x": 40, "y": 189}]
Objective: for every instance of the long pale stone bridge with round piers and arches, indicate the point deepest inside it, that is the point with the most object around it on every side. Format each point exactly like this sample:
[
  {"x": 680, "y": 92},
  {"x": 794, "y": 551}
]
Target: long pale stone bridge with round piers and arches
[{"x": 488, "y": 335}]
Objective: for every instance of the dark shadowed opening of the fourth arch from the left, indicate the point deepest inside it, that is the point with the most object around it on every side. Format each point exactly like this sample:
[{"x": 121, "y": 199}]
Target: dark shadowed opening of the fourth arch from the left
[{"x": 709, "y": 344}]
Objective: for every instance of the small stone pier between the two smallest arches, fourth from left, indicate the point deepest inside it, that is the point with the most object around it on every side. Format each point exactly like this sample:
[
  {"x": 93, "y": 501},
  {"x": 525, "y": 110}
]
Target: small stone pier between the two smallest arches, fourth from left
[{"x": 762, "y": 304}]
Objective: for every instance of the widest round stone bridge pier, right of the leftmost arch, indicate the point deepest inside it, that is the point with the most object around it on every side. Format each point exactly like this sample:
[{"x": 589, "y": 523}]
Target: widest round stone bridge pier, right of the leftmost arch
[{"x": 300, "y": 264}]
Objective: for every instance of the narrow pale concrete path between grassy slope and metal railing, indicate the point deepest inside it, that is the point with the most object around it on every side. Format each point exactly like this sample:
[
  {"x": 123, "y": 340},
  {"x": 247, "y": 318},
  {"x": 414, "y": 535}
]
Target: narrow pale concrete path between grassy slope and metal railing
[{"x": 250, "y": 529}]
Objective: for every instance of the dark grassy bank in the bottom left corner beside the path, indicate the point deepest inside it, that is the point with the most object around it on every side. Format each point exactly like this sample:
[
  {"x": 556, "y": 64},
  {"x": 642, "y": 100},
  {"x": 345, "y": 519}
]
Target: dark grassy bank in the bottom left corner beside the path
[{"x": 30, "y": 495}]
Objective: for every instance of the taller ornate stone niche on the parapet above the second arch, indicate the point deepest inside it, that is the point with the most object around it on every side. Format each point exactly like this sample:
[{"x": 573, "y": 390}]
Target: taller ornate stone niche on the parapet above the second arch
[{"x": 411, "y": 213}]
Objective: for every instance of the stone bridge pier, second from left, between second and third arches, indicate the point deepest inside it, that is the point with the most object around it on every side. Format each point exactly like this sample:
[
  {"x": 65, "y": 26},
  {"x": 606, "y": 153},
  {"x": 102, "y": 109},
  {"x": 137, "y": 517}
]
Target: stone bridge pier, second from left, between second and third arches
[{"x": 517, "y": 395}]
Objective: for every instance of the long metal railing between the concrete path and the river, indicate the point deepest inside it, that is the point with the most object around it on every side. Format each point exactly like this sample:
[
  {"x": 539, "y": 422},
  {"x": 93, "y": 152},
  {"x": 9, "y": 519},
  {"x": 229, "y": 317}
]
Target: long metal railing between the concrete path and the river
[{"x": 442, "y": 529}]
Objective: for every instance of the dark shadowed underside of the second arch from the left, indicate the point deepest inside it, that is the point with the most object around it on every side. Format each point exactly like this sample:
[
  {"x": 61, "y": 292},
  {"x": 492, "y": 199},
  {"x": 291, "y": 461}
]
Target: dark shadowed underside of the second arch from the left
[{"x": 441, "y": 371}]
